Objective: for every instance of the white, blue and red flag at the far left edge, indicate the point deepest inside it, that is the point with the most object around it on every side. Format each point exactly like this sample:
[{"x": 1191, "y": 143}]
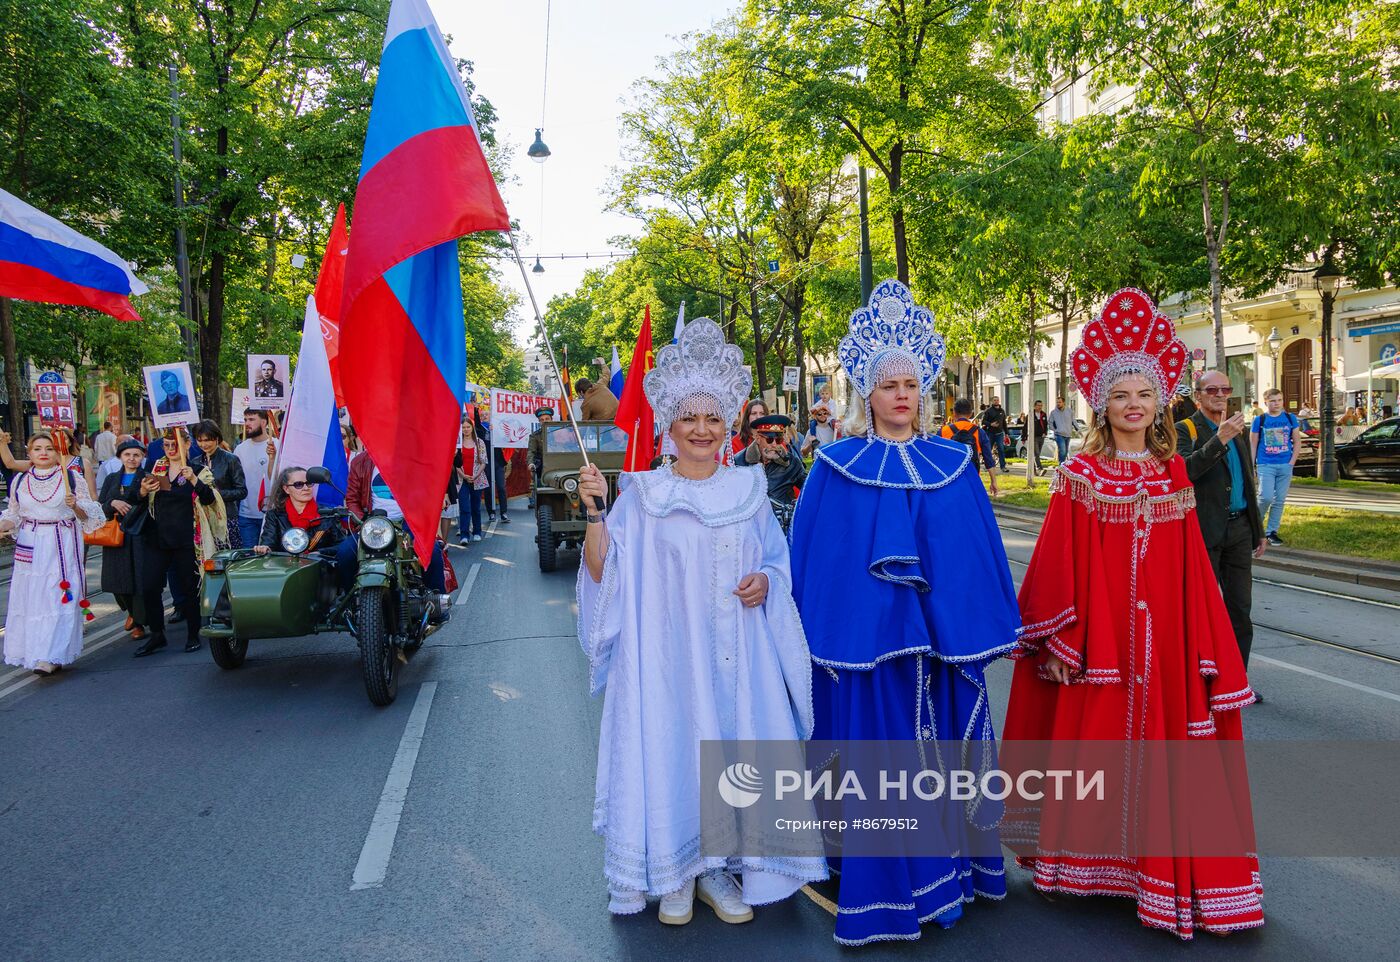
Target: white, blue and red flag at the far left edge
[{"x": 43, "y": 260}]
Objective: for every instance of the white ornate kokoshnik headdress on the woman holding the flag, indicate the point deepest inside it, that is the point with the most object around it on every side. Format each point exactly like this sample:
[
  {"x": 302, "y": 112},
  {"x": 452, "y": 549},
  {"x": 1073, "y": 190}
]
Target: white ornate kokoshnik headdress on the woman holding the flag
[{"x": 701, "y": 375}]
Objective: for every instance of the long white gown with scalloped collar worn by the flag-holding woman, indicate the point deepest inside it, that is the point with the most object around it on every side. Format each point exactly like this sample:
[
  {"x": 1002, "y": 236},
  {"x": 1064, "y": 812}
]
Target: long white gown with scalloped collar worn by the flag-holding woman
[{"x": 685, "y": 662}]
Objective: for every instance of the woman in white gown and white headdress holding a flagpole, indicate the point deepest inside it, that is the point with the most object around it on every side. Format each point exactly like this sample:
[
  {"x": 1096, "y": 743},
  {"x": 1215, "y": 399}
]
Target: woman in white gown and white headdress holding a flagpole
[{"x": 687, "y": 615}]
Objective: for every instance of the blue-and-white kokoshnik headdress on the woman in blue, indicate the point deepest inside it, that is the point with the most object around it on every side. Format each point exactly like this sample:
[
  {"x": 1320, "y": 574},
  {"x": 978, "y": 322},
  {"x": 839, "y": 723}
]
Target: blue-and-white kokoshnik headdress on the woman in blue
[{"x": 892, "y": 337}]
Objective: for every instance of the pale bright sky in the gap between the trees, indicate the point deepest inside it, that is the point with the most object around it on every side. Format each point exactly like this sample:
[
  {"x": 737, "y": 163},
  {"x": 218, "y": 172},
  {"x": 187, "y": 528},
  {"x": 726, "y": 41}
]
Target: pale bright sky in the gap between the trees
[{"x": 598, "y": 48}]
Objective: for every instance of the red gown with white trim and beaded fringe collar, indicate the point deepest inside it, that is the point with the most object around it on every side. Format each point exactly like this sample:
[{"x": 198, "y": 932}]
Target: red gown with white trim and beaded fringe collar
[{"x": 1121, "y": 589}]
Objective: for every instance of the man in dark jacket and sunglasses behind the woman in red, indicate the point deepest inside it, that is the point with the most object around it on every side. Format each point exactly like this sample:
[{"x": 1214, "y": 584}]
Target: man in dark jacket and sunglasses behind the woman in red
[{"x": 1217, "y": 459}]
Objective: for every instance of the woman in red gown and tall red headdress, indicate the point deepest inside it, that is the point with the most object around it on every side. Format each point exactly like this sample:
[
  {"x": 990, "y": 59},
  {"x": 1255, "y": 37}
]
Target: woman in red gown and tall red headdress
[{"x": 1128, "y": 649}]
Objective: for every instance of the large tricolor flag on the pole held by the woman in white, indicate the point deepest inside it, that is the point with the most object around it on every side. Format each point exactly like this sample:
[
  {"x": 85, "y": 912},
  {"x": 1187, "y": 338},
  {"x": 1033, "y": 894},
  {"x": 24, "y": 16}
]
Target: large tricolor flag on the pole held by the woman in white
[{"x": 423, "y": 183}]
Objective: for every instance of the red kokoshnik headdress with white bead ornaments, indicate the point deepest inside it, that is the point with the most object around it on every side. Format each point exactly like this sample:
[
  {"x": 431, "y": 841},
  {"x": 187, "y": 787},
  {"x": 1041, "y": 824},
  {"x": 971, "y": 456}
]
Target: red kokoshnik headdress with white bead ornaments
[{"x": 1129, "y": 337}]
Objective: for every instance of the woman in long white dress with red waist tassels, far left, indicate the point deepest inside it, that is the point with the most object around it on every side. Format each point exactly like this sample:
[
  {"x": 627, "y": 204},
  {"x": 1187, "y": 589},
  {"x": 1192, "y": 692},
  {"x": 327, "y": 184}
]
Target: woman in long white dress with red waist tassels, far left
[{"x": 48, "y": 592}]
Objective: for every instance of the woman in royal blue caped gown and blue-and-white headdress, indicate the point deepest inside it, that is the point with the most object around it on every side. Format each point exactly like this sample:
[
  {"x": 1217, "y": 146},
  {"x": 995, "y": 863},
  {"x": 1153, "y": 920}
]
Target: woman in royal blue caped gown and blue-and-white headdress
[{"x": 904, "y": 589}]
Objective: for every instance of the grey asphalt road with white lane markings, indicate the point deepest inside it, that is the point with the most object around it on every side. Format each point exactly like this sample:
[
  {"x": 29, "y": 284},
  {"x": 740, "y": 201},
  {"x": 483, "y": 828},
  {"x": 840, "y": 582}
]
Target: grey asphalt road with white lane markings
[{"x": 162, "y": 809}]
